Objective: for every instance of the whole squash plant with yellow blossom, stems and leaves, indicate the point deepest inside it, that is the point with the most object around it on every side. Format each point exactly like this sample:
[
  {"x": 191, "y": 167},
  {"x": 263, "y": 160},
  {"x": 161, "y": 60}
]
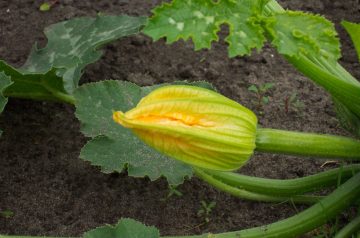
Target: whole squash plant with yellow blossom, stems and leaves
[{"x": 307, "y": 41}]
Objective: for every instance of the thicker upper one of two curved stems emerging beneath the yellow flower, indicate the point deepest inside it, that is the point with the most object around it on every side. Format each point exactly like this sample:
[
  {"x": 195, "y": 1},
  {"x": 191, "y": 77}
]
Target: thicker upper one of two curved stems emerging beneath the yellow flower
[{"x": 287, "y": 187}]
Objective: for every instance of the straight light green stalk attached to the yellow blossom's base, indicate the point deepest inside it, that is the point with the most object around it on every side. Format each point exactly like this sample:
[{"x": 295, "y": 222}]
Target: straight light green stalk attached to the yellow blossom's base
[{"x": 307, "y": 144}]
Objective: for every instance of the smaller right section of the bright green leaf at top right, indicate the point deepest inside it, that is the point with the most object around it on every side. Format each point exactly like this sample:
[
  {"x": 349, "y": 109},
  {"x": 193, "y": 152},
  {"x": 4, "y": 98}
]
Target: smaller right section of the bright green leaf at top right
[{"x": 296, "y": 33}]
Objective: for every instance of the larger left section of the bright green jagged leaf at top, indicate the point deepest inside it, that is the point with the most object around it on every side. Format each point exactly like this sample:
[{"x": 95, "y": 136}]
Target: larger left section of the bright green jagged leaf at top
[{"x": 201, "y": 20}]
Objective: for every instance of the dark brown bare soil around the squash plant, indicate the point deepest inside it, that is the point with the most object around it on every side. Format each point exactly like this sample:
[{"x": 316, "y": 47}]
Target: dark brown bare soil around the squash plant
[{"x": 52, "y": 192}]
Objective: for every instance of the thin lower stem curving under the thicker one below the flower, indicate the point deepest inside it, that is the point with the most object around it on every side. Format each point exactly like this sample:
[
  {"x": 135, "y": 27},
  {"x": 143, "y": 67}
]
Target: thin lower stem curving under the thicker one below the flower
[{"x": 248, "y": 195}]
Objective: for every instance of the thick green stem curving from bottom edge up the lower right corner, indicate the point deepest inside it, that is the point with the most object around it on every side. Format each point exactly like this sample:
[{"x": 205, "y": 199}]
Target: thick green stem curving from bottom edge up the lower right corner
[{"x": 303, "y": 222}]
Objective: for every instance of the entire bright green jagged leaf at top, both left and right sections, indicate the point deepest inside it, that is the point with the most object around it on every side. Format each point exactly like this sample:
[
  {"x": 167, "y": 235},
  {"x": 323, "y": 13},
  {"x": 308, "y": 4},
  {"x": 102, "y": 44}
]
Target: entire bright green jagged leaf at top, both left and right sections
[{"x": 293, "y": 33}]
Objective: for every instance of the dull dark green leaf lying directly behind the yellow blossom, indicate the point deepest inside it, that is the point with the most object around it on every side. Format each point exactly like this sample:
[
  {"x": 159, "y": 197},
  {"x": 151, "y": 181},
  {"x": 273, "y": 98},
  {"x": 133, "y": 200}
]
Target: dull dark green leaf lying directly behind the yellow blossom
[{"x": 116, "y": 148}]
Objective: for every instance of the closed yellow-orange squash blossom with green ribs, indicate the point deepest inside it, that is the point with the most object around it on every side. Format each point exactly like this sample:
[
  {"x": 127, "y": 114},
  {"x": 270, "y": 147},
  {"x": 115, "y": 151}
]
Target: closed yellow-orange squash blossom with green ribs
[{"x": 194, "y": 125}]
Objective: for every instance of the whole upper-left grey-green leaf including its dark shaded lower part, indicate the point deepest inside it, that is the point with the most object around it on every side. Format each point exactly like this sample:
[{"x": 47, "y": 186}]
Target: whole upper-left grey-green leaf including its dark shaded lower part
[{"x": 53, "y": 72}]
